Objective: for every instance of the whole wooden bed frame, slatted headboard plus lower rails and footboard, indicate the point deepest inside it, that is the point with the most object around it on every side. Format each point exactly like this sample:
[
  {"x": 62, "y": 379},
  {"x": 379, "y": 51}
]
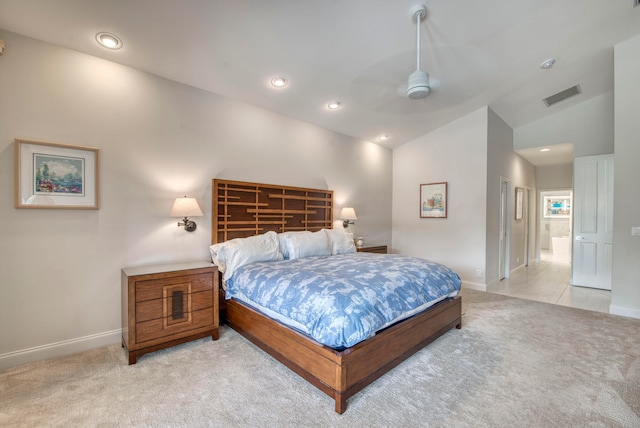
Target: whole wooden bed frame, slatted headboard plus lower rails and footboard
[{"x": 242, "y": 209}]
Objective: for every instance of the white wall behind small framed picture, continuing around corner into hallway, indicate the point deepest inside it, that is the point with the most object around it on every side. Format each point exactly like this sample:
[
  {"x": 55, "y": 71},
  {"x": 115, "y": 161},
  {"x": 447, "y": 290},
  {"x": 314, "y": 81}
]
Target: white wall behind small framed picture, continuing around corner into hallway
[{"x": 471, "y": 154}]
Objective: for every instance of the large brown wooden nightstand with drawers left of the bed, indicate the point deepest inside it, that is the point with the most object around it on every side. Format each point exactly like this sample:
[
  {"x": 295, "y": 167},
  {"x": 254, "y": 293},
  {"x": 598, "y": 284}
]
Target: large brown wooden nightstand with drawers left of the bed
[{"x": 165, "y": 305}]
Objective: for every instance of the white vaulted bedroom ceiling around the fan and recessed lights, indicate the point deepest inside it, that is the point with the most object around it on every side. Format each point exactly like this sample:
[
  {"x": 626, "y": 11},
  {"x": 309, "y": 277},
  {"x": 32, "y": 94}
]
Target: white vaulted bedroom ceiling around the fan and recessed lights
[{"x": 358, "y": 52}]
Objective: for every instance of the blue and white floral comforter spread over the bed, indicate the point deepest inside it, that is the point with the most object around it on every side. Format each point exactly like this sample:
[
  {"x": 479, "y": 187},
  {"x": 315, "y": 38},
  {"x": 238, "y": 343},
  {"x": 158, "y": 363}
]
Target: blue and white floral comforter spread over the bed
[{"x": 344, "y": 299}]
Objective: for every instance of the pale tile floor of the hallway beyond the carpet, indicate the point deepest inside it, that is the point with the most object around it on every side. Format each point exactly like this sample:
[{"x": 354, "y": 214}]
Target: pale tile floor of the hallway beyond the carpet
[{"x": 548, "y": 281}]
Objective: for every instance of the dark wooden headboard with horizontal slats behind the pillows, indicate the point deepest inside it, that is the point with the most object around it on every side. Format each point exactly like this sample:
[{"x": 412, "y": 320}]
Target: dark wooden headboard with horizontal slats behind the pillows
[{"x": 242, "y": 209}]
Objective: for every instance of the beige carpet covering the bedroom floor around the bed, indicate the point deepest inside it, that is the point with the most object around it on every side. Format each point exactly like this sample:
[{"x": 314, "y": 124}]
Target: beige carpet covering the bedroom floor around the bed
[{"x": 514, "y": 363}]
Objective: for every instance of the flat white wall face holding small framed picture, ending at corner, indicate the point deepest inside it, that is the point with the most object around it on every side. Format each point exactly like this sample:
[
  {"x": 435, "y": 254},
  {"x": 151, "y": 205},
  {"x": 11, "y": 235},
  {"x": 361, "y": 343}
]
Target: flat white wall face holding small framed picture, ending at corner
[{"x": 455, "y": 153}]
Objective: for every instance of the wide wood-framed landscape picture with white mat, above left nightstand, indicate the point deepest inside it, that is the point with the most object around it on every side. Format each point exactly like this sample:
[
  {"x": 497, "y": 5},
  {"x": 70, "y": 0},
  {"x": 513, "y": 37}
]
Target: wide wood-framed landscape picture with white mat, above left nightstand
[{"x": 56, "y": 176}]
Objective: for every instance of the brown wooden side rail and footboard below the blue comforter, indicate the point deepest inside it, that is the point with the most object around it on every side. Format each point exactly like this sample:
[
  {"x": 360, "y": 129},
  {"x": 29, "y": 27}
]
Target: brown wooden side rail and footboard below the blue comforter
[{"x": 341, "y": 374}]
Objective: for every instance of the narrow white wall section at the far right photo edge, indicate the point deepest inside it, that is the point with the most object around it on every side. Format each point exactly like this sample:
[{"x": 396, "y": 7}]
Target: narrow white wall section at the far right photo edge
[{"x": 625, "y": 293}]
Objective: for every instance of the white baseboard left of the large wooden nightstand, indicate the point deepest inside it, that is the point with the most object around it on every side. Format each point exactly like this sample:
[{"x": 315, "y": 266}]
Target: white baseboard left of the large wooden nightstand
[{"x": 59, "y": 349}]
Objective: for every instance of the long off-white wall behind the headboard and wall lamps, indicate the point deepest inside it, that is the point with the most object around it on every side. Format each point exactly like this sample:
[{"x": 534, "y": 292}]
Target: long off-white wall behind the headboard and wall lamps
[{"x": 158, "y": 140}]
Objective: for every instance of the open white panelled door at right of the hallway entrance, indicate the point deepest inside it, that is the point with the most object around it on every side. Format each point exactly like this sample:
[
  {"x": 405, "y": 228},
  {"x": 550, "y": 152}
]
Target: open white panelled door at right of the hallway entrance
[{"x": 593, "y": 221}]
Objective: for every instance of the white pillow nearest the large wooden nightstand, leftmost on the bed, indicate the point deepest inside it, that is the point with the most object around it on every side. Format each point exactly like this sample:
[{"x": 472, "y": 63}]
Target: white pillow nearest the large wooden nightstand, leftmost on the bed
[{"x": 232, "y": 254}]
